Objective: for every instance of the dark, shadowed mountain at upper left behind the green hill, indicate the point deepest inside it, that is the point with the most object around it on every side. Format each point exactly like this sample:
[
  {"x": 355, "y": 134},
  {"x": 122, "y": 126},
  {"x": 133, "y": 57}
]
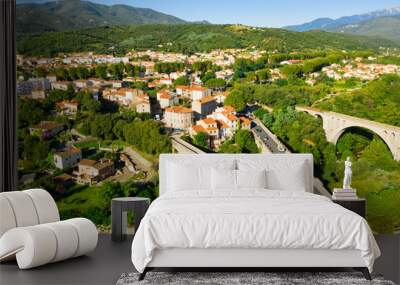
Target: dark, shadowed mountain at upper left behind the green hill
[{"x": 77, "y": 14}]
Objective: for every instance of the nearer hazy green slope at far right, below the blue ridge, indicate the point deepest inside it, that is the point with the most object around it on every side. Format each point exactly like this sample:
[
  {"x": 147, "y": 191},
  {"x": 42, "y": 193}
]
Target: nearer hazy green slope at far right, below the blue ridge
[{"x": 384, "y": 27}]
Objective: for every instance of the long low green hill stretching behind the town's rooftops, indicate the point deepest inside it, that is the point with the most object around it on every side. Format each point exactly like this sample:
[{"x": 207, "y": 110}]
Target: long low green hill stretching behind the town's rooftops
[{"x": 189, "y": 38}]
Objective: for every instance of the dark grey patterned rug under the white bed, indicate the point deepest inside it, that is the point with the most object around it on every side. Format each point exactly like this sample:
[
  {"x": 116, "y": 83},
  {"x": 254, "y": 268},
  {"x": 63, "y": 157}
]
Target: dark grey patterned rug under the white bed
[{"x": 253, "y": 278}]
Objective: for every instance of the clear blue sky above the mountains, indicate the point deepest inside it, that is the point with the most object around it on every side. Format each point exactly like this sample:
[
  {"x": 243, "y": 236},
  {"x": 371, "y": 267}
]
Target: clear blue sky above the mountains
[{"x": 271, "y": 13}]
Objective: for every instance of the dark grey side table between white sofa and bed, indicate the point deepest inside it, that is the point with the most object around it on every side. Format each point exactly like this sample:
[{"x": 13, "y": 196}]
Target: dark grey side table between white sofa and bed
[{"x": 119, "y": 208}]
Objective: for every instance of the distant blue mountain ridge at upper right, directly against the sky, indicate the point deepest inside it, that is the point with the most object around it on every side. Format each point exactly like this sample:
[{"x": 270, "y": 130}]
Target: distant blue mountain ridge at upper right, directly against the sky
[{"x": 331, "y": 24}]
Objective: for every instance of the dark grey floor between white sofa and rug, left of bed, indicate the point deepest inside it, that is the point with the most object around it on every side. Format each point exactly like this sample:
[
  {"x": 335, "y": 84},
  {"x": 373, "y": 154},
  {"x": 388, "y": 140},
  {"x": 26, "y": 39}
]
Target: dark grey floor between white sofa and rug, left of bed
[{"x": 104, "y": 266}]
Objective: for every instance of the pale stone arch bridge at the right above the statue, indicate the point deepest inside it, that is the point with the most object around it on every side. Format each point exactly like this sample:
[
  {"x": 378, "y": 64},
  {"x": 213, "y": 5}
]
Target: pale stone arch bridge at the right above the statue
[{"x": 335, "y": 124}]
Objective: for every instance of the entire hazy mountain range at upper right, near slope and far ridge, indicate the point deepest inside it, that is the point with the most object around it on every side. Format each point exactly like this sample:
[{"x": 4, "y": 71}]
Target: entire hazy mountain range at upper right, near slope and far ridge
[{"x": 381, "y": 23}]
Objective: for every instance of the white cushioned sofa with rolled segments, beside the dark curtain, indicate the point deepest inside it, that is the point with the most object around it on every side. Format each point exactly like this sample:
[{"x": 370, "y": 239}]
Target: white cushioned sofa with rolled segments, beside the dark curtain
[{"x": 31, "y": 231}]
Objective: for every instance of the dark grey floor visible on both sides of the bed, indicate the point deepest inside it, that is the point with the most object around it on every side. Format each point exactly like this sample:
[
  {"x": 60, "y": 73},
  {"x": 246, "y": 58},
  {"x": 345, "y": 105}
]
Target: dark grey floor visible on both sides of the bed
[{"x": 110, "y": 260}]
